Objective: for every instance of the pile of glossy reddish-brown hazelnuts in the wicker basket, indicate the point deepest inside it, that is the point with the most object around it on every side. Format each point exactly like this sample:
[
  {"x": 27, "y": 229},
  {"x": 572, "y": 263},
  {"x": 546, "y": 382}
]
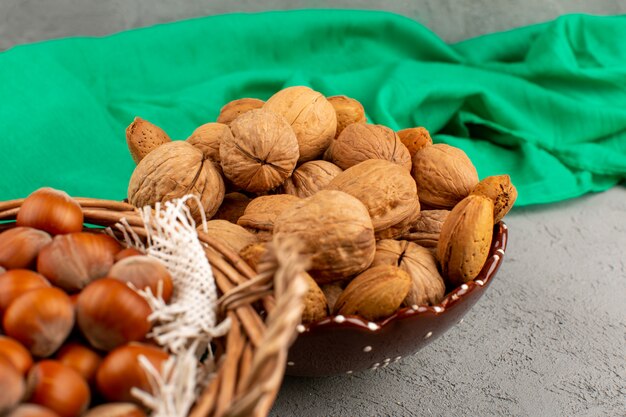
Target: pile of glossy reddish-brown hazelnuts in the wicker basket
[{"x": 73, "y": 323}]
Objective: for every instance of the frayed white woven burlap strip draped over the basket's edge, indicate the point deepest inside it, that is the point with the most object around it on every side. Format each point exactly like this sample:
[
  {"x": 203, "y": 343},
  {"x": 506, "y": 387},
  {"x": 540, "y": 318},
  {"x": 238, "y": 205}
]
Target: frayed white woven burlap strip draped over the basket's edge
[{"x": 186, "y": 326}]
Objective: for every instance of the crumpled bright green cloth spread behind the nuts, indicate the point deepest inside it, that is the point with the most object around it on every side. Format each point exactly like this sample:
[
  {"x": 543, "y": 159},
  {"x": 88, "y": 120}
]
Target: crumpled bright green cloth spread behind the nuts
[{"x": 546, "y": 103}]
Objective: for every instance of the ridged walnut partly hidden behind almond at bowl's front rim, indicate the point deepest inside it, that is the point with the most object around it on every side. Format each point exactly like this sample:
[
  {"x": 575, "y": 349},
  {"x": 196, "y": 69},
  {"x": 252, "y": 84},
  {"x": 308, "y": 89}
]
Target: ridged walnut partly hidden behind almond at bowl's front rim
[{"x": 427, "y": 286}]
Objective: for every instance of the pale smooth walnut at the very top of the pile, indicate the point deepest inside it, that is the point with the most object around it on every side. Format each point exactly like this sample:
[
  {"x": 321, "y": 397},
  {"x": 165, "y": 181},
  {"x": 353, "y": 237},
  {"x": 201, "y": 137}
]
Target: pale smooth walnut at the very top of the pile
[{"x": 311, "y": 116}]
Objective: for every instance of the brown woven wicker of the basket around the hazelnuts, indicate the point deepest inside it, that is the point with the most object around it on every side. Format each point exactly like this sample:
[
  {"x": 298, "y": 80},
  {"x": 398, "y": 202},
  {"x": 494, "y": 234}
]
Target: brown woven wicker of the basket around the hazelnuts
[{"x": 265, "y": 309}]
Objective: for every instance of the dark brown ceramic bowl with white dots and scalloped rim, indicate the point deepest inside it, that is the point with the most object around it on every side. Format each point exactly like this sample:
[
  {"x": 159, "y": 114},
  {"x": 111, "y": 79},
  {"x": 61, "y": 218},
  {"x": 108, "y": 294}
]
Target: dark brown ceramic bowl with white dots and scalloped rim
[{"x": 346, "y": 344}]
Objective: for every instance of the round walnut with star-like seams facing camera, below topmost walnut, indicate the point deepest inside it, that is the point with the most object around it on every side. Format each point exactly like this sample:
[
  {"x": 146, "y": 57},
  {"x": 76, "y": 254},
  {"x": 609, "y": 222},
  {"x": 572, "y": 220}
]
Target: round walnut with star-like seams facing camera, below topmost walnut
[{"x": 261, "y": 153}]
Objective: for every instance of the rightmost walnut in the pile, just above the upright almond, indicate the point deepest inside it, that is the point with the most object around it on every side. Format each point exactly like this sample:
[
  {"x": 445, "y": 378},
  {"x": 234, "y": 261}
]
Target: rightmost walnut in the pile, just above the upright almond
[{"x": 444, "y": 176}]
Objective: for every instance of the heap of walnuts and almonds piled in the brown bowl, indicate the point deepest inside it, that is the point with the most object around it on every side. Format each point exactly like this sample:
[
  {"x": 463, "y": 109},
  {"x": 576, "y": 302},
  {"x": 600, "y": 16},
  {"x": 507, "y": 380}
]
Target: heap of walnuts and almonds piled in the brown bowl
[{"x": 388, "y": 219}]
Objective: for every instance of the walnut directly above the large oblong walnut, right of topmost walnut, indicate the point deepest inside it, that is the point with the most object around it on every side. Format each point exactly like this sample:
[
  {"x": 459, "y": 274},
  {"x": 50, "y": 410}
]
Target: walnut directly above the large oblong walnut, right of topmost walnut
[{"x": 359, "y": 142}]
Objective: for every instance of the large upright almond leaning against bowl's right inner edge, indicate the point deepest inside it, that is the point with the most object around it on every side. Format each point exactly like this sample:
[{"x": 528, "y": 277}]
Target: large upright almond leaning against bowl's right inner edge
[{"x": 465, "y": 239}]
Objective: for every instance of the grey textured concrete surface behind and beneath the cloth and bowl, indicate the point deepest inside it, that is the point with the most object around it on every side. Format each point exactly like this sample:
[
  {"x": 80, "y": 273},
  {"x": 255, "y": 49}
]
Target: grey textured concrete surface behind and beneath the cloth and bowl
[{"x": 548, "y": 338}]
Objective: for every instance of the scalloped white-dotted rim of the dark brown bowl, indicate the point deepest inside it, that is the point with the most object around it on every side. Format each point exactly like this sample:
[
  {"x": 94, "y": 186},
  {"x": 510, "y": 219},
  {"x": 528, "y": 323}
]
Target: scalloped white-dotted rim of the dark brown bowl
[{"x": 457, "y": 295}]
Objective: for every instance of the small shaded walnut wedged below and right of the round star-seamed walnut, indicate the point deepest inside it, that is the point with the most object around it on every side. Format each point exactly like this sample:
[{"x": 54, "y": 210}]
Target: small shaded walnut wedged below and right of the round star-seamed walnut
[{"x": 311, "y": 177}]
